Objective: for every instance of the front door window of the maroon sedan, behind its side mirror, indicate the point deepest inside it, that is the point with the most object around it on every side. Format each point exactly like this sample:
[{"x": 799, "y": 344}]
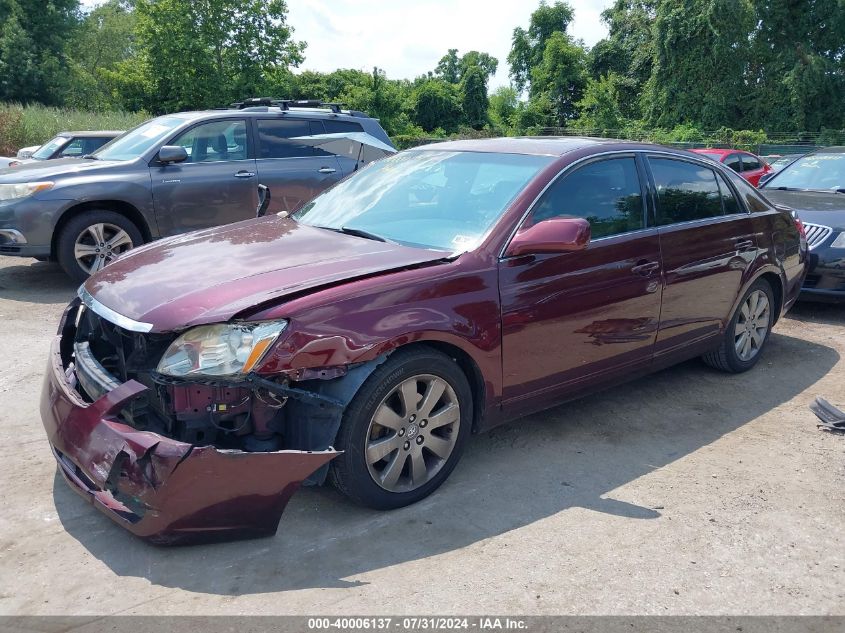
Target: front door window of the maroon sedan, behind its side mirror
[{"x": 606, "y": 193}]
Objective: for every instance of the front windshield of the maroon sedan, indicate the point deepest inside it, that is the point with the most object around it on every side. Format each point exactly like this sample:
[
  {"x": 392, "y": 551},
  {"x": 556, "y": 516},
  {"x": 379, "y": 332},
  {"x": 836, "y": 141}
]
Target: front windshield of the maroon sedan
[{"x": 434, "y": 199}]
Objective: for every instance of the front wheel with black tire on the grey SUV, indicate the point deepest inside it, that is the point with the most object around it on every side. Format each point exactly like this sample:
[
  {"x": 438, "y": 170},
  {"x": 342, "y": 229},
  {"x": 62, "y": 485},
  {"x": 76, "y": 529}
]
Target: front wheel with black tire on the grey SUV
[{"x": 91, "y": 239}]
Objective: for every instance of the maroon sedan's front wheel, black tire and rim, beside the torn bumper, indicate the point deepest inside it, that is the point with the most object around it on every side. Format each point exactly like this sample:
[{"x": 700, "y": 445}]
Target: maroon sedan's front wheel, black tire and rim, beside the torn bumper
[{"x": 404, "y": 431}]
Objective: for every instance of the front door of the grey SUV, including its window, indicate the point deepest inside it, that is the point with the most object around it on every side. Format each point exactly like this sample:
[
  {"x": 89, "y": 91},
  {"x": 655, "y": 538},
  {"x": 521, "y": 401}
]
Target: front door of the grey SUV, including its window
[{"x": 216, "y": 185}]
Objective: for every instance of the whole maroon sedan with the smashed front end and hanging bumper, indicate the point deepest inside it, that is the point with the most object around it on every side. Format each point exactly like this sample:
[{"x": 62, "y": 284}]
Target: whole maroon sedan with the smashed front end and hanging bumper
[{"x": 198, "y": 381}]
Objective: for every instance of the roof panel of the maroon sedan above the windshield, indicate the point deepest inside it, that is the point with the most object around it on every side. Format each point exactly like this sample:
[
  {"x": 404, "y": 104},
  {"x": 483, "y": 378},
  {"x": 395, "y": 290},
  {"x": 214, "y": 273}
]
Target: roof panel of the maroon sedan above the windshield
[{"x": 537, "y": 145}]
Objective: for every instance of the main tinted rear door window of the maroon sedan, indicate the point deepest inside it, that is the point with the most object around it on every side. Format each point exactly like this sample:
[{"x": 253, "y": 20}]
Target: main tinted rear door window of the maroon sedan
[{"x": 685, "y": 191}]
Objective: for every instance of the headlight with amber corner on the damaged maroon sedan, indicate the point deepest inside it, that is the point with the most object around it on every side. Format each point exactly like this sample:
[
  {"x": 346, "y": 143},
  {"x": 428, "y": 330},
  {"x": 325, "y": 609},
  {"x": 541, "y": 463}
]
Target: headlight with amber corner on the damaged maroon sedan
[{"x": 224, "y": 349}]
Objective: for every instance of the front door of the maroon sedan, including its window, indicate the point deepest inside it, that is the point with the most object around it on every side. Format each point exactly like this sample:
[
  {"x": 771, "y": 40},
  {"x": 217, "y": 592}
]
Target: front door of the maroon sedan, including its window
[{"x": 574, "y": 321}]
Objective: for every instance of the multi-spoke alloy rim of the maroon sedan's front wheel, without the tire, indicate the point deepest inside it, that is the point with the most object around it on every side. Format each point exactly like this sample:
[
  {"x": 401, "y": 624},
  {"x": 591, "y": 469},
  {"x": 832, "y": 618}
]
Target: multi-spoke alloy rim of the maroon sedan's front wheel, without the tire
[{"x": 412, "y": 433}]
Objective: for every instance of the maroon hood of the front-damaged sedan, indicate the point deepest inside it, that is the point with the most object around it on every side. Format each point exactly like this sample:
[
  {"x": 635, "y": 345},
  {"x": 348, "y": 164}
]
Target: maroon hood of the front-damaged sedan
[{"x": 212, "y": 275}]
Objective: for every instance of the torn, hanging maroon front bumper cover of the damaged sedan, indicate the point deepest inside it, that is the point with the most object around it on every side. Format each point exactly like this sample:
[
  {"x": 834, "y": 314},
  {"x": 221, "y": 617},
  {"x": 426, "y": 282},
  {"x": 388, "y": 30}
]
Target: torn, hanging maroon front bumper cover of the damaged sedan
[{"x": 161, "y": 489}]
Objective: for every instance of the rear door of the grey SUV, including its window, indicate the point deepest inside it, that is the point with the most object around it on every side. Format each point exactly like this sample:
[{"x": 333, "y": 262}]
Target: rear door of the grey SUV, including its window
[{"x": 294, "y": 172}]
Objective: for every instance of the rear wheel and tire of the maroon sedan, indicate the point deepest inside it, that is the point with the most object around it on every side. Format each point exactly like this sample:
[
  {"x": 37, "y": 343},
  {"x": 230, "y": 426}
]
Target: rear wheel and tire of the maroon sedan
[{"x": 747, "y": 331}]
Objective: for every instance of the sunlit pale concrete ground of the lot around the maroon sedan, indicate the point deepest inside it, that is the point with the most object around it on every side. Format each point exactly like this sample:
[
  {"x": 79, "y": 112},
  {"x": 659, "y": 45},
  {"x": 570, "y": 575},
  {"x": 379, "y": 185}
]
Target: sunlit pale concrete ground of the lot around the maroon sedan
[{"x": 685, "y": 492}]
